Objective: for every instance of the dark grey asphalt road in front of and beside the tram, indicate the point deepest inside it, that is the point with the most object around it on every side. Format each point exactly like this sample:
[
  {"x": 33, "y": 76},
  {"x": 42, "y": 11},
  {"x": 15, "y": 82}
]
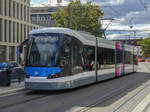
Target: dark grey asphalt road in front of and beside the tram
[{"x": 70, "y": 100}]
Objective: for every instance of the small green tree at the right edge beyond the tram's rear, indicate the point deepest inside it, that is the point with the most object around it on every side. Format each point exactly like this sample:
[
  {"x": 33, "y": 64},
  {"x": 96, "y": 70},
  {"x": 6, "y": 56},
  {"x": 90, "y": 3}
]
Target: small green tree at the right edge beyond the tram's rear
[{"x": 145, "y": 45}]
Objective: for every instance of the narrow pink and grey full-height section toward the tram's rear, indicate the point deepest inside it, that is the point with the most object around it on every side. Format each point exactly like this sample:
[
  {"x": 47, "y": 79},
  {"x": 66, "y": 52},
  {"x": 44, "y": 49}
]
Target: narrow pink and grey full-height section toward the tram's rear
[{"x": 119, "y": 68}]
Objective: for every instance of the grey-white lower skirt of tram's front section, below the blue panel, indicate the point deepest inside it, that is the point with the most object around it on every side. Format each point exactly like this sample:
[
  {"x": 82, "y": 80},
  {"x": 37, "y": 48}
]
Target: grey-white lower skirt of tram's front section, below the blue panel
[{"x": 68, "y": 82}]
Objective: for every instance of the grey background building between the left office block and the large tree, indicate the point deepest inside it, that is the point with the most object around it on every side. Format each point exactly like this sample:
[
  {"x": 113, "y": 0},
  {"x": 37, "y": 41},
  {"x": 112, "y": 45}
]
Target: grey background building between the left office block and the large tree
[{"x": 42, "y": 16}]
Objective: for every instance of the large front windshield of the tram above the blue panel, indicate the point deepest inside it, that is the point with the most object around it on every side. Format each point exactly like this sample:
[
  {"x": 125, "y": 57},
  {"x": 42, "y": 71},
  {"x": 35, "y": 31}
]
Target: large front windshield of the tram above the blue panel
[{"x": 44, "y": 50}]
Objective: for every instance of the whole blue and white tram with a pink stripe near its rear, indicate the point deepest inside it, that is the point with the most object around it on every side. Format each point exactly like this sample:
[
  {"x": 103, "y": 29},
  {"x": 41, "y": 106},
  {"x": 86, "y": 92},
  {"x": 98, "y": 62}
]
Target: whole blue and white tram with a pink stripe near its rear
[{"x": 61, "y": 58}]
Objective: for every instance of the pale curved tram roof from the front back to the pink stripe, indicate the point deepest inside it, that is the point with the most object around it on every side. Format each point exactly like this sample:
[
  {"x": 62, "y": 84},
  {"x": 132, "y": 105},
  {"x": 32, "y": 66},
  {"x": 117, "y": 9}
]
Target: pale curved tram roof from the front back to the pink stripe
[{"x": 84, "y": 37}]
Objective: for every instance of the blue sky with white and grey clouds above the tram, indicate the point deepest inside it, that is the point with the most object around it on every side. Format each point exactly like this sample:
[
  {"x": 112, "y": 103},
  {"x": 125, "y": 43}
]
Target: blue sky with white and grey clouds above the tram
[{"x": 125, "y": 13}]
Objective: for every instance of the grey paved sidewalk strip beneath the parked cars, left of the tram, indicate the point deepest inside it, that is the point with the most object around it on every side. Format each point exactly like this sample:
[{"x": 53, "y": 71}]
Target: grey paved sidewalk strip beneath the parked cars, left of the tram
[{"x": 13, "y": 88}]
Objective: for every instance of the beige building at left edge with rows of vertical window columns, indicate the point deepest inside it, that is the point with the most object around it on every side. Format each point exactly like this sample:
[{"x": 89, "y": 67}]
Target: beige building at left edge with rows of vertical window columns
[{"x": 15, "y": 24}]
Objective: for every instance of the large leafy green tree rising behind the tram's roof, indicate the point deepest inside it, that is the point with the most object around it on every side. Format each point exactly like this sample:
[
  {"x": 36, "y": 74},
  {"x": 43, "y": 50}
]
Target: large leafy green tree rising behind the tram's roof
[{"x": 78, "y": 16}]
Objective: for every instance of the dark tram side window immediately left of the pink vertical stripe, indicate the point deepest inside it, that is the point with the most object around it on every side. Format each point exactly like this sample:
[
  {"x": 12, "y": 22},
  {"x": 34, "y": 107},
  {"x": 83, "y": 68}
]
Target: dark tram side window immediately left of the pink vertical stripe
[{"x": 106, "y": 58}]
